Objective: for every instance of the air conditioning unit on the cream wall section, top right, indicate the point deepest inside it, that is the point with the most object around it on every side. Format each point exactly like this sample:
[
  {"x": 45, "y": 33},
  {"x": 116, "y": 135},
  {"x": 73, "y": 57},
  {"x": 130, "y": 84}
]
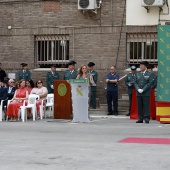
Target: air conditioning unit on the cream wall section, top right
[{"x": 159, "y": 3}]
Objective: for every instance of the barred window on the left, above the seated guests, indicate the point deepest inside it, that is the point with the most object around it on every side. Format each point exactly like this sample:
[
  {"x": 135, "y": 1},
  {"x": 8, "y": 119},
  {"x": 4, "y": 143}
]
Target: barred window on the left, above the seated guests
[{"x": 51, "y": 49}]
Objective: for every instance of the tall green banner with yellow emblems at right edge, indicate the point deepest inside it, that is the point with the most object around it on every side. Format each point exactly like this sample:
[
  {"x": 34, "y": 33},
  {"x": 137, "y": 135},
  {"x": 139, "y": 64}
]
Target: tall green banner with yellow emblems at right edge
[{"x": 163, "y": 86}]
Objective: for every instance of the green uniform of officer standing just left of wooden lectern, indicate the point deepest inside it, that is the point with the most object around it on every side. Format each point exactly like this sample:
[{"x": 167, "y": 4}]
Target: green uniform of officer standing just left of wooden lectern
[{"x": 51, "y": 76}]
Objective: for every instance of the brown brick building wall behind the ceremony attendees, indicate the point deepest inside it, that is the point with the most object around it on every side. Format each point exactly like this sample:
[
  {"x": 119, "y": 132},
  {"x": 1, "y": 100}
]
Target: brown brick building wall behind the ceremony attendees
[{"x": 99, "y": 38}]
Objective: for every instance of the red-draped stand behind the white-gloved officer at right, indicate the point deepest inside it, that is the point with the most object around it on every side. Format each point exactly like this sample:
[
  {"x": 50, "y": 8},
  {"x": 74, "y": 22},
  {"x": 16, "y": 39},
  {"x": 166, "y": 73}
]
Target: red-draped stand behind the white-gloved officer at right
[{"x": 134, "y": 107}]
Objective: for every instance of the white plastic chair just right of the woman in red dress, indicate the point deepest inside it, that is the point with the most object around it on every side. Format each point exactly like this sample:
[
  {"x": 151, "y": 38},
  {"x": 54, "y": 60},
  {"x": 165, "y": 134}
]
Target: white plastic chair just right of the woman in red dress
[{"x": 32, "y": 98}]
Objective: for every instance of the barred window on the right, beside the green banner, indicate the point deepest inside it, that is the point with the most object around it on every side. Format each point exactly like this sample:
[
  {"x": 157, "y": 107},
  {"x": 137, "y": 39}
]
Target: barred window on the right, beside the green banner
[{"x": 142, "y": 47}]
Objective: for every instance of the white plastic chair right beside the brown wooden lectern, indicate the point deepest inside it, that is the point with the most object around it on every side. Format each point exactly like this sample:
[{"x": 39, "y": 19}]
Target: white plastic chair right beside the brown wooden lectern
[{"x": 49, "y": 104}]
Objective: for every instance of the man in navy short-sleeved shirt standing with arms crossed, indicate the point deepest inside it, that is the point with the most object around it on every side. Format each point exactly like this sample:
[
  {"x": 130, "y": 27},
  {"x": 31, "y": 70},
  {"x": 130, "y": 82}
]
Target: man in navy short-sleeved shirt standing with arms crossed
[{"x": 112, "y": 80}]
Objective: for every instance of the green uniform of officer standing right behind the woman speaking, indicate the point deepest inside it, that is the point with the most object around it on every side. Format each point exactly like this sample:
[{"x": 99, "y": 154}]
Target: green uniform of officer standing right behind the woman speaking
[{"x": 93, "y": 88}]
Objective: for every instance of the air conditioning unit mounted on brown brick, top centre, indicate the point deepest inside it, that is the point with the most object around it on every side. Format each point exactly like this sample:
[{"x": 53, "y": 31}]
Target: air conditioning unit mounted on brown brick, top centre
[{"x": 87, "y": 4}]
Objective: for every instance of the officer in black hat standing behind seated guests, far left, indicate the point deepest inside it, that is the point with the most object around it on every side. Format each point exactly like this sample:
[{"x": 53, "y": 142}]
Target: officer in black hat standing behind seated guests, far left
[{"x": 24, "y": 73}]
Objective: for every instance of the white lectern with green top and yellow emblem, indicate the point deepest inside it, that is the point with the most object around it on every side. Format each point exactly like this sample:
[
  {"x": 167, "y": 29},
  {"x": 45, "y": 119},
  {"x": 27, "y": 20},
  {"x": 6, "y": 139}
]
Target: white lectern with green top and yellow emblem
[{"x": 80, "y": 104}]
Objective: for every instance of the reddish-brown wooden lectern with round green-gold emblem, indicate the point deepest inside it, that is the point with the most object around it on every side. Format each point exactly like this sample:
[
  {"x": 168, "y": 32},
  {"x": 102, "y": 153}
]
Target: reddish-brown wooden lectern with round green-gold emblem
[{"x": 62, "y": 100}]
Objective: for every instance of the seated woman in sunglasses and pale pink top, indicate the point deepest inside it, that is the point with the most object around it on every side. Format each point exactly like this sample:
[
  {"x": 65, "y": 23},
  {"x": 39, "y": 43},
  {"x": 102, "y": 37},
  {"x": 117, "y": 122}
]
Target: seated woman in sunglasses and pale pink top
[{"x": 42, "y": 92}]
